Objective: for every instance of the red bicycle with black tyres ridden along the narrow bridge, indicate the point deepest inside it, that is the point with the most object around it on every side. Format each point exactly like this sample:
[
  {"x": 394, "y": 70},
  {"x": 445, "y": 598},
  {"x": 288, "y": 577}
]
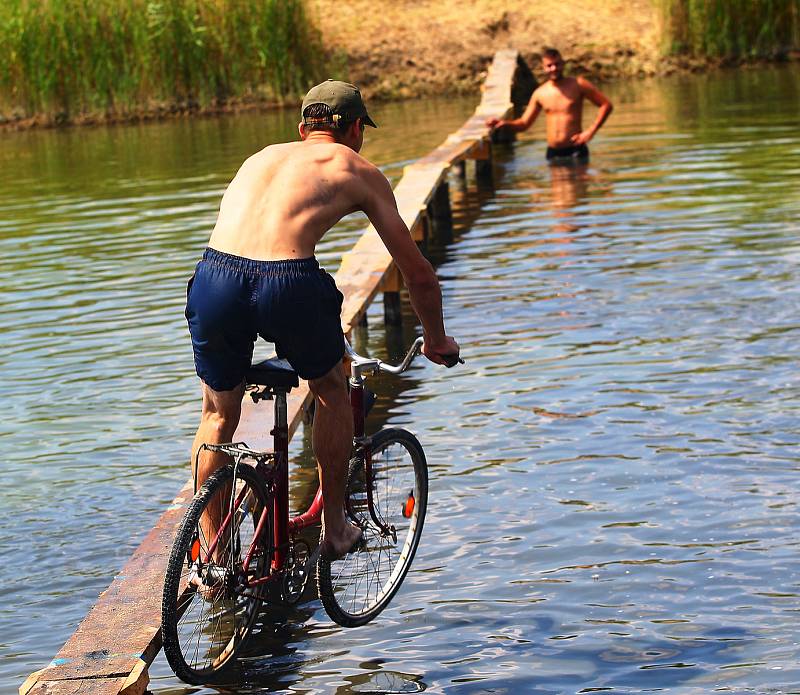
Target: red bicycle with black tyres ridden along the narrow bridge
[{"x": 219, "y": 573}]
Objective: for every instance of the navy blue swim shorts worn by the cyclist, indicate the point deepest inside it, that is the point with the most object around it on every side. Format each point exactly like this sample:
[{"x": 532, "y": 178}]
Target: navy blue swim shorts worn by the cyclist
[{"x": 231, "y": 300}]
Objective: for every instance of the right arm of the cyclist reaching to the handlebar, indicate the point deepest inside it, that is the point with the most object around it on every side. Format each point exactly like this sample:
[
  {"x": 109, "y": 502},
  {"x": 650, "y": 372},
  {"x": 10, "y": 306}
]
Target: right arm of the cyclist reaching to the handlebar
[{"x": 418, "y": 275}]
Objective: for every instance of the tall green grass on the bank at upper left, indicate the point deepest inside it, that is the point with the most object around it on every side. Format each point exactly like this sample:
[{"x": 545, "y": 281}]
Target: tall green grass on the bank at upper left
[{"x": 72, "y": 57}]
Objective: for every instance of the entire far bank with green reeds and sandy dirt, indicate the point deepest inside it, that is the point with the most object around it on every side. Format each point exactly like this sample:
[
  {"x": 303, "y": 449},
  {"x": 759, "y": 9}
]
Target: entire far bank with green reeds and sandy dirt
[{"x": 73, "y": 60}]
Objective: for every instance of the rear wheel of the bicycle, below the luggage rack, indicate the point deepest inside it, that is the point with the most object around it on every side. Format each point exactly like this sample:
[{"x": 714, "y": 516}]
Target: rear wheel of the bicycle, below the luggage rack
[{"x": 206, "y": 612}]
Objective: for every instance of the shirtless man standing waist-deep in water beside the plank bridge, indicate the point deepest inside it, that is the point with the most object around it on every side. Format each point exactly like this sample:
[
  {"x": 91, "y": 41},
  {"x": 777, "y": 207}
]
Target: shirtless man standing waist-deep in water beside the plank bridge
[{"x": 562, "y": 100}]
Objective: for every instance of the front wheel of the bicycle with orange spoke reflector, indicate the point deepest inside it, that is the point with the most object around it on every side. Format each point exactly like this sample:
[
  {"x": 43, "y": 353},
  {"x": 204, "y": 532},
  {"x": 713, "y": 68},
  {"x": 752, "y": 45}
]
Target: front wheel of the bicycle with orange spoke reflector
[{"x": 355, "y": 589}]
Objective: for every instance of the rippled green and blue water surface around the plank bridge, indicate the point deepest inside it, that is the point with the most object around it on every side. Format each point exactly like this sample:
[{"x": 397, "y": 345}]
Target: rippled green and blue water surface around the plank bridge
[{"x": 614, "y": 472}]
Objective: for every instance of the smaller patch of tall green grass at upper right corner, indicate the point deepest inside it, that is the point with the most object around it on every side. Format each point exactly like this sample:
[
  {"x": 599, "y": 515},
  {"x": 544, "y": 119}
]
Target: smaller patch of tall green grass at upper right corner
[{"x": 731, "y": 28}]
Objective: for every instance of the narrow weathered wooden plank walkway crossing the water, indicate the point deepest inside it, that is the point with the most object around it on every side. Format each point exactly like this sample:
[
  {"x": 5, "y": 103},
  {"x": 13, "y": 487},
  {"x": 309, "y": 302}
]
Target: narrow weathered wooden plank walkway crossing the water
[{"x": 120, "y": 636}]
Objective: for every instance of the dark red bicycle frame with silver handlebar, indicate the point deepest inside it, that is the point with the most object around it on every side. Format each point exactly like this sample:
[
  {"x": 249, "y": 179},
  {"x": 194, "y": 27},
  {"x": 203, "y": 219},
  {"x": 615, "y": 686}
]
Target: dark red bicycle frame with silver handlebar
[{"x": 274, "y": 468}]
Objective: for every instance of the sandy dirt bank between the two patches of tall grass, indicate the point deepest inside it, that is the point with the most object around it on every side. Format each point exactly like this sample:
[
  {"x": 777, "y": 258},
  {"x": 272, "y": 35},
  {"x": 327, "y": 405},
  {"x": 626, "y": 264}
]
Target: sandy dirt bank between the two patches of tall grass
[{"x": 403, "y": 48}]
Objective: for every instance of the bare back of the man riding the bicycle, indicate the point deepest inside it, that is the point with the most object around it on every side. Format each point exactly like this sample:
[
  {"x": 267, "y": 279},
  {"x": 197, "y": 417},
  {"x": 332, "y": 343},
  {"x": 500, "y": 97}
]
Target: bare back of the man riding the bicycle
[{"x": 286, "y": 197}]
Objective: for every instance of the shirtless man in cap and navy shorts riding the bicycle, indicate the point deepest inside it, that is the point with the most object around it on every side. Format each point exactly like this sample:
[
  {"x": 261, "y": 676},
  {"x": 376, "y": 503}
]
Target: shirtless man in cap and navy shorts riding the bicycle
[{"x": 259, "y": 276}]
